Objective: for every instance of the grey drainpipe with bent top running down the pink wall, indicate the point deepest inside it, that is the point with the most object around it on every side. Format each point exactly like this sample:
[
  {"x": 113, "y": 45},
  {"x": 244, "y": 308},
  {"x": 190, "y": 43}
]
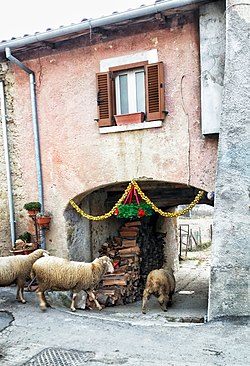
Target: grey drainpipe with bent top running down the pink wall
[{"x": 36, "y": 132}]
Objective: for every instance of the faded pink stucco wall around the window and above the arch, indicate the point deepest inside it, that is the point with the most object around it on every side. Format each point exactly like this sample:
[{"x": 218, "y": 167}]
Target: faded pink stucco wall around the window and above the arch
[{"x": 76, "y": 157}]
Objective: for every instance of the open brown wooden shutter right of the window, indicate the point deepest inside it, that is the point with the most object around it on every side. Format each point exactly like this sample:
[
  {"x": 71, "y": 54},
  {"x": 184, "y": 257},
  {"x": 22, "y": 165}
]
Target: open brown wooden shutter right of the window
[{"x": 155, "y": 91}]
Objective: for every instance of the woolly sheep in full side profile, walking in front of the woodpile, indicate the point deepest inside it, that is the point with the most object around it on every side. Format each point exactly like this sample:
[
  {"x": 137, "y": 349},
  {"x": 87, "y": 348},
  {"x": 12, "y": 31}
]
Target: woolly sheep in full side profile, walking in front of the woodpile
[{"x": 60, "y": 274}]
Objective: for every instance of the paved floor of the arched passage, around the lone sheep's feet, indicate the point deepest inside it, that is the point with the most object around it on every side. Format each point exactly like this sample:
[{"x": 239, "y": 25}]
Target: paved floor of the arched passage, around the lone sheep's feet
[{"x": 189, "y": 302}]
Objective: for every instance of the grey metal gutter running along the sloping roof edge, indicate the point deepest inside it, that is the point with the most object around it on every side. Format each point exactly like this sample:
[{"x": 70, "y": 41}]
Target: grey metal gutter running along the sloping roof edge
[{"x": 99, "y": 22}]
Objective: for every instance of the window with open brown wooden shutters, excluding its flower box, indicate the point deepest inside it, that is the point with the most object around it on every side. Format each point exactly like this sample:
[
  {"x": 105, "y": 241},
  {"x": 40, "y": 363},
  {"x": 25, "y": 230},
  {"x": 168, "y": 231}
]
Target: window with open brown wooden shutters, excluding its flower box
[{"x": 126, "y": 89}]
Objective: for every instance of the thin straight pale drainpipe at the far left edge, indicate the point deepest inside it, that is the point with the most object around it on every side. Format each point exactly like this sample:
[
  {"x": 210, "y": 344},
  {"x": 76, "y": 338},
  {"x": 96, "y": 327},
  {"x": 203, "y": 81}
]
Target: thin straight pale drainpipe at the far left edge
[{"x": 7, "y": 162}]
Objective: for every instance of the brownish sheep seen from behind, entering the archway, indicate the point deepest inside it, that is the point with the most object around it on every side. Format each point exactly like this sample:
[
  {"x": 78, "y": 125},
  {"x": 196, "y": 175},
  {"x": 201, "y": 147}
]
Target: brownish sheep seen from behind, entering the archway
[{"x": 161, "y": 284}]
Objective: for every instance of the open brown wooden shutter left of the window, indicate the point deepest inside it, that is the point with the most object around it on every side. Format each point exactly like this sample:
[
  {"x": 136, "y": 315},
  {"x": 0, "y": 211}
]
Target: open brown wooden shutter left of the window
[{"x": 104, "y": 99}]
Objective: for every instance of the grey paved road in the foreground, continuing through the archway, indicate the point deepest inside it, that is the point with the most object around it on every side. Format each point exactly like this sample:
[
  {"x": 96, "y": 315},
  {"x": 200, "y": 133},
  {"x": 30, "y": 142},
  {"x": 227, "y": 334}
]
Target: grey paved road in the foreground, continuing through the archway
[{"x": 123, "y": 335}]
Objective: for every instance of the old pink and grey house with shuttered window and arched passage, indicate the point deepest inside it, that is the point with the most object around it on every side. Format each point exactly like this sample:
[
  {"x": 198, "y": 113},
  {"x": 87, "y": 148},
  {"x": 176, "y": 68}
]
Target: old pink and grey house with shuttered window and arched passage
[{"x": 60, "y": 93}]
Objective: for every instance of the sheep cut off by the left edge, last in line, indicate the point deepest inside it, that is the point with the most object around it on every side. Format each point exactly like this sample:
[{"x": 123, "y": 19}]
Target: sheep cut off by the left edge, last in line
[{"x": 16, "y": 269}]
